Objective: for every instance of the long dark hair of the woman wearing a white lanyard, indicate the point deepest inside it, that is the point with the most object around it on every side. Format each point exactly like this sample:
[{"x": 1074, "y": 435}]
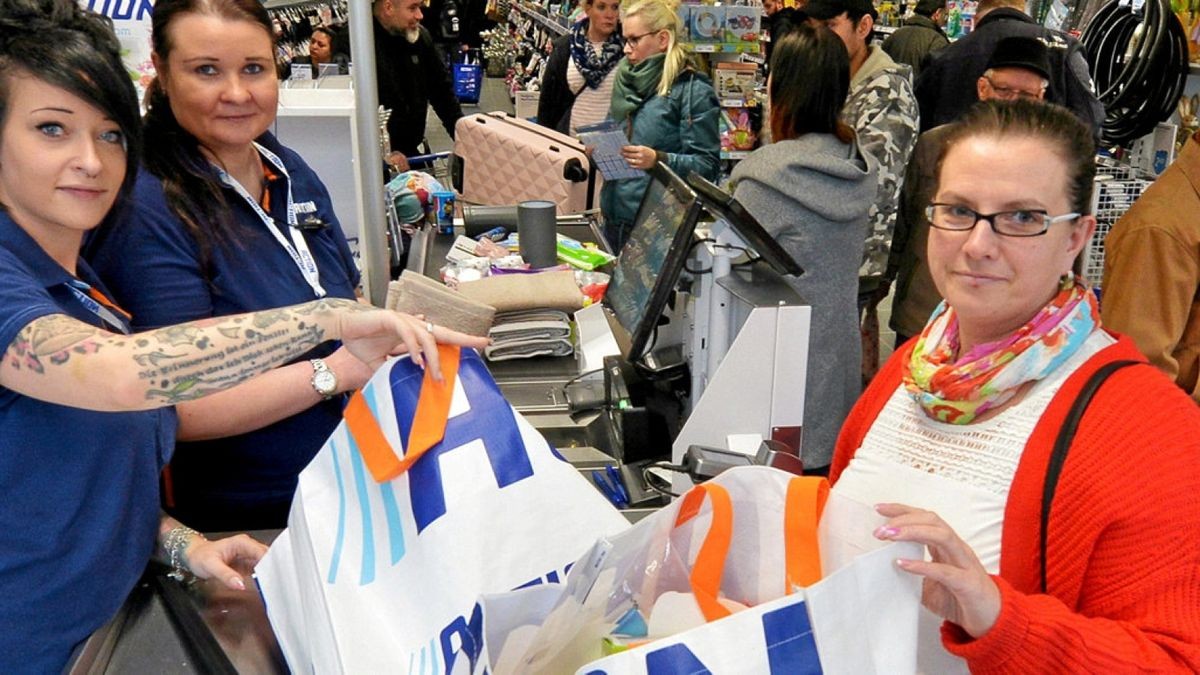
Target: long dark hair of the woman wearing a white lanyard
[{"x": 191, "y": 186}]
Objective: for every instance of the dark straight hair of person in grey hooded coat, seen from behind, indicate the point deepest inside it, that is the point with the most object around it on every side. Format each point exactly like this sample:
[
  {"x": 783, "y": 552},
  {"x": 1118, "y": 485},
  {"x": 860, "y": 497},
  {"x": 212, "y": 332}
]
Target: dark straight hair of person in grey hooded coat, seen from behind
[{"x": 809, "y": 83}]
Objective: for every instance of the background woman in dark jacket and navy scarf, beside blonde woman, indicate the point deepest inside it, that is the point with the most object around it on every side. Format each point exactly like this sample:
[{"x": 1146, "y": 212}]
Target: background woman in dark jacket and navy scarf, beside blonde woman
[{"x": 577, "y": 87}]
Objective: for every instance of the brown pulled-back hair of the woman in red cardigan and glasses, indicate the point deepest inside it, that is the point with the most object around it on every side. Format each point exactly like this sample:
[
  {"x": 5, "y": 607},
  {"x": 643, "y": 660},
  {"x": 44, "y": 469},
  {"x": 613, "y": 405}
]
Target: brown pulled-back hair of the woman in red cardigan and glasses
[{"x": 1053, "y": 126}]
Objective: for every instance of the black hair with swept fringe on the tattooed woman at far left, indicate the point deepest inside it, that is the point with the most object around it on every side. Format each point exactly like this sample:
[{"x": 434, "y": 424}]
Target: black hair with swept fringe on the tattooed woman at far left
[{"x": 65, "y": 46}]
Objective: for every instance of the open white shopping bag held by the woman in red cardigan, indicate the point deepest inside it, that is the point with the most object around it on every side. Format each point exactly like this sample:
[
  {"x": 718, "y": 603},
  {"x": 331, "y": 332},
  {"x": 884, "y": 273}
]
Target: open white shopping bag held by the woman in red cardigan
[{"x": 861, "y": 619}]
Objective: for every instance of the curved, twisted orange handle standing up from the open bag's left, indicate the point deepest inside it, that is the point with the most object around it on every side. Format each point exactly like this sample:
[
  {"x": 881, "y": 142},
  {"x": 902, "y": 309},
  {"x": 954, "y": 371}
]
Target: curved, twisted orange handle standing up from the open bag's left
[{"x": 710, "y": 566}]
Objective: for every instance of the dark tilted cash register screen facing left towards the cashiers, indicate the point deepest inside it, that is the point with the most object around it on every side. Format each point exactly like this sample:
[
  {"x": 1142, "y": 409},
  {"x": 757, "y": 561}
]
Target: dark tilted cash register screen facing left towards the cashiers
[{"x": 653, "y": 258}]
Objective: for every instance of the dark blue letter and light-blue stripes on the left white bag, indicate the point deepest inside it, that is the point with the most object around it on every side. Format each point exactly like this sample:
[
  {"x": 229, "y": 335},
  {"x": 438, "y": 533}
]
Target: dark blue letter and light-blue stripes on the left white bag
[{"x": 489, "y": 415}]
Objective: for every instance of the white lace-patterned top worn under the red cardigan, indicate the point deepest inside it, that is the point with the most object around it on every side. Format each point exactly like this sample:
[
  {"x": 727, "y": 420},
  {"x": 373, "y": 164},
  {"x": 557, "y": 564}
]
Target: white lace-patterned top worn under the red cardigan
[{"x": 962, "y": 473}]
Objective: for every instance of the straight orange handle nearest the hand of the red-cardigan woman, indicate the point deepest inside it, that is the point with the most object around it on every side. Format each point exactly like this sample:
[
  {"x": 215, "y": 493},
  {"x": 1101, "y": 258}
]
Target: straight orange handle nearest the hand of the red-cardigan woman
[{"x": 807, "y": 497}]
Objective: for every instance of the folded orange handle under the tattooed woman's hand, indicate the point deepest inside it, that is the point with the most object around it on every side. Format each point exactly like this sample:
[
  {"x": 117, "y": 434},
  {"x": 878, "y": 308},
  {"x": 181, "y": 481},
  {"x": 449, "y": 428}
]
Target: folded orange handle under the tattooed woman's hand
[{"x": 429, "y": 422}]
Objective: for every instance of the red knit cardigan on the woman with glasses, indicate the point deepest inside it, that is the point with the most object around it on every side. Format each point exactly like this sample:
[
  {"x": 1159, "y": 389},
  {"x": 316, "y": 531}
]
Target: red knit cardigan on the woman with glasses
[{"x": 1124, "y": 551}]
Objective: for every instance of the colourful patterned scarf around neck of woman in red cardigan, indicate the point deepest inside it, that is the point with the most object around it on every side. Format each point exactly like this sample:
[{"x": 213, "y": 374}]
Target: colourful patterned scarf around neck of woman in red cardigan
[{"x": 958, "y": 390}]
